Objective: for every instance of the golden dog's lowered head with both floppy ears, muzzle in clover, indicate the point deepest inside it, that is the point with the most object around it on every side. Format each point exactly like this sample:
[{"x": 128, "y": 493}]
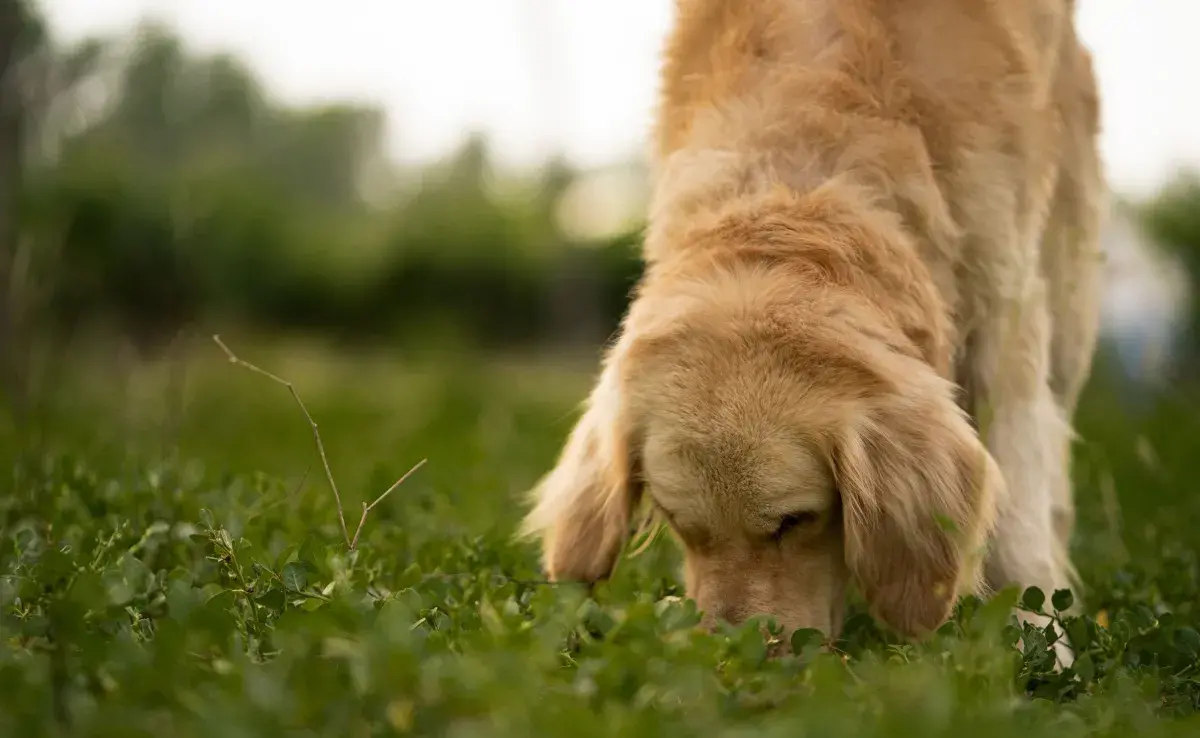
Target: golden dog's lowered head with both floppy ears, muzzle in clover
[{"x": 789, "y": 449}]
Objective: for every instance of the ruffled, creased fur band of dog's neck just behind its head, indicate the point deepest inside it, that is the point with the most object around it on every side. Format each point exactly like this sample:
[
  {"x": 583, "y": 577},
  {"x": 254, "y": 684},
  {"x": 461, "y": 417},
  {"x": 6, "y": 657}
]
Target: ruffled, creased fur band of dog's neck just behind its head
[{"x": 723, "y": 215}]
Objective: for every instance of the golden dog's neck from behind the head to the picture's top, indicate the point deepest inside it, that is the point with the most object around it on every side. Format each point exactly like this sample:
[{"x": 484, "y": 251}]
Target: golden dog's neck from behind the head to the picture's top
[{"x": 778, "y": 131}]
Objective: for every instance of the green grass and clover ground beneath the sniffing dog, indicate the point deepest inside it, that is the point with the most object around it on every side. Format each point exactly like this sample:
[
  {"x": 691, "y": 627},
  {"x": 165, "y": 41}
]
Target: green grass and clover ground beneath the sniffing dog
[{"x": 193, "y": 579}]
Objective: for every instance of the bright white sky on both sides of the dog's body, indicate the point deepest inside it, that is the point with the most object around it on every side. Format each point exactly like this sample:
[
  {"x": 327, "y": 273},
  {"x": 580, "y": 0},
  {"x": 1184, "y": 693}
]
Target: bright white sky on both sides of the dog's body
[{"x": 580, "y": 76}]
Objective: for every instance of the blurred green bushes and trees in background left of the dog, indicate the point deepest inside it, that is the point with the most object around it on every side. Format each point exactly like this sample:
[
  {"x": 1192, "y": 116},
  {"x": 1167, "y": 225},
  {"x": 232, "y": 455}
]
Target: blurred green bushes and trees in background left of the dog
[{"x": 165, "y": 189}]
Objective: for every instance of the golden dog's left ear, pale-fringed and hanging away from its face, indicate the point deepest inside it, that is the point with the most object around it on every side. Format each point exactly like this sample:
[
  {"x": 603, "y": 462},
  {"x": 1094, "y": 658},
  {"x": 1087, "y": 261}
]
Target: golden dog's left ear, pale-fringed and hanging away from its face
[{"x": 583, "y": 508}]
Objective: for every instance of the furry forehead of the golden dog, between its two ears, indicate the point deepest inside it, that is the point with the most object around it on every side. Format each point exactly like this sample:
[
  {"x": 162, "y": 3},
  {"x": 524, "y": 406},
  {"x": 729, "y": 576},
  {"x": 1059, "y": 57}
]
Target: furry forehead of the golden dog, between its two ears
[{"x": 734, "y": 427}]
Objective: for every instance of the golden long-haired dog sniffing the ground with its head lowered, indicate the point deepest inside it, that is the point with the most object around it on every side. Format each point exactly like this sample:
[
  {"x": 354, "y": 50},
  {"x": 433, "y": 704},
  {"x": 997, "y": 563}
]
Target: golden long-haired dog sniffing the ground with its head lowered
[{"x": 868, "y": 309}]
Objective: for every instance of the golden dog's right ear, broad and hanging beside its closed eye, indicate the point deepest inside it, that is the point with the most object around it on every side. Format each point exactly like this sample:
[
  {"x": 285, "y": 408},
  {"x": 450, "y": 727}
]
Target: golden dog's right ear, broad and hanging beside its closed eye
[{"x": 919, "y": 494}]
